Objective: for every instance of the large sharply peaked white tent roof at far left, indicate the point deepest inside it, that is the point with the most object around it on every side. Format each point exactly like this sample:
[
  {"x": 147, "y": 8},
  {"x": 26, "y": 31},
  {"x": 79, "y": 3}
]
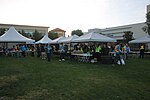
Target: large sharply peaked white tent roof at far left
[{"x": 13, "y": 36}]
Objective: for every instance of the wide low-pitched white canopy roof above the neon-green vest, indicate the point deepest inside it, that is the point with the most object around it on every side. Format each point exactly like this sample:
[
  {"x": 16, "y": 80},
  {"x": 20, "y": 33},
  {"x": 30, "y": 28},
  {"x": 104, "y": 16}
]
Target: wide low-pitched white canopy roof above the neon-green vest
[{"x": 94, "y": 37}]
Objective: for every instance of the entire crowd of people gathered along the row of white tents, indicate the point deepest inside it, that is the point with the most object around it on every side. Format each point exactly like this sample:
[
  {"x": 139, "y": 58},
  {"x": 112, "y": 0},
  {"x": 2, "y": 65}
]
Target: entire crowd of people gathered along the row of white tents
[{"x": 120, "y": 51}]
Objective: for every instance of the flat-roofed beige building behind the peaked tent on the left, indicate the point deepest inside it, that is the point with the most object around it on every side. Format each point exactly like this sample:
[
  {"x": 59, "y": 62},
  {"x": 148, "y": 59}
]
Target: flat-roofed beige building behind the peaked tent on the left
[{"x": 26, "y": 28}]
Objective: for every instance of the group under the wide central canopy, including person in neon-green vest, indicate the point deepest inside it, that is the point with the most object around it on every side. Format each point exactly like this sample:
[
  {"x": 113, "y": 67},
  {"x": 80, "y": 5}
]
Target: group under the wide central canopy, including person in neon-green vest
[{"x": 120, "y": 51}]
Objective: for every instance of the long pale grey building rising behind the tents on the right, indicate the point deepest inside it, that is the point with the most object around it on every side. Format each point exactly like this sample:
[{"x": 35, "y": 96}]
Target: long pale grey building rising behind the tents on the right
[{"x": 138, "y": 30}]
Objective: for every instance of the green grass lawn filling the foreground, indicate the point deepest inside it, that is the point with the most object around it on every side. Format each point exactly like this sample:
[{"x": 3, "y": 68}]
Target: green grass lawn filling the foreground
[{"x": 34, "y": 79}]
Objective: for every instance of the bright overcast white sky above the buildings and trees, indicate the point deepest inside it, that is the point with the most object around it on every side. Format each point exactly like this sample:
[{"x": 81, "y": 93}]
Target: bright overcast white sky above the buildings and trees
[{"x": 71, "y": 15}]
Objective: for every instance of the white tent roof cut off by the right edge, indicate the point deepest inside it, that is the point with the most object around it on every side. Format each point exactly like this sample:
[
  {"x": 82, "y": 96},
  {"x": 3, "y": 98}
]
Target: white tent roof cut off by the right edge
[{"x": 145, "y": 39}]
